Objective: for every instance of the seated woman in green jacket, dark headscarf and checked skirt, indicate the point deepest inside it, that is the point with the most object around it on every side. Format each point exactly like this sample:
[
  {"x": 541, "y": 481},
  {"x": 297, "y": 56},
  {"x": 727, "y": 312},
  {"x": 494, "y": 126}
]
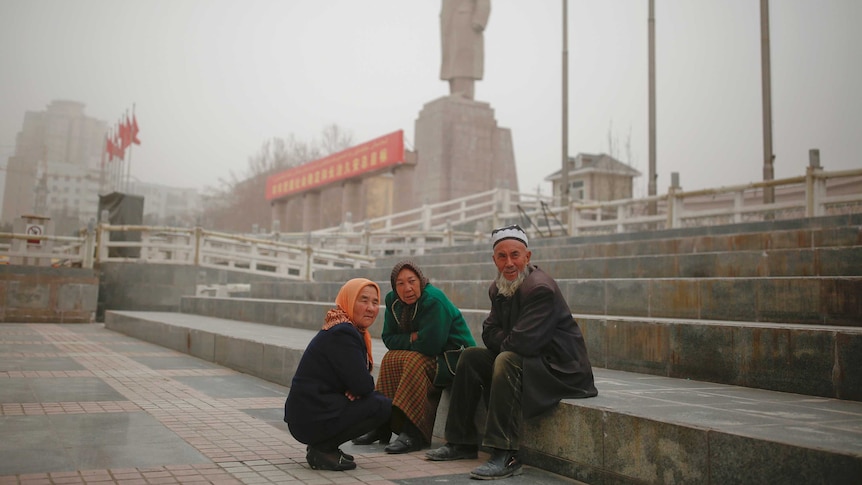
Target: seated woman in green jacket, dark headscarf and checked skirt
[{"x": 420, "y": 323}]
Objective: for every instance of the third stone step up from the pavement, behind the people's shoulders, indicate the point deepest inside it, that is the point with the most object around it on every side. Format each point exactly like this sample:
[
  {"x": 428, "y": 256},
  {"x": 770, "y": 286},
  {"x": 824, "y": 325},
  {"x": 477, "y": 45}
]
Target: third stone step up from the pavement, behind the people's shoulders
[{"x": 802, "y": 300}]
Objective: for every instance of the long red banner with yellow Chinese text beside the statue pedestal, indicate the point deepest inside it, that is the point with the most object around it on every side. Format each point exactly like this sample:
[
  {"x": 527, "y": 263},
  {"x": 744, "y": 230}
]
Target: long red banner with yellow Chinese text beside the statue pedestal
[{"x": 386, "y": 151}]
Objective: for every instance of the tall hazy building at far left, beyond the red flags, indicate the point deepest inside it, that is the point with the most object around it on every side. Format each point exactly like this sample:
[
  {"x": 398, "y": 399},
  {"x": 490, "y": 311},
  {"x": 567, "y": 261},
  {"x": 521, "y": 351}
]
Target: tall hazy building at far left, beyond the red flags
[{"x": 51, "y": 172}]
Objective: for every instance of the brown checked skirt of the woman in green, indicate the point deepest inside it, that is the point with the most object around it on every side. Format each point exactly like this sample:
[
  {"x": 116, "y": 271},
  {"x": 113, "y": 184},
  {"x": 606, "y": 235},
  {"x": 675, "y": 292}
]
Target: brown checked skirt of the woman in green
[{"x": 406, "y": 377}]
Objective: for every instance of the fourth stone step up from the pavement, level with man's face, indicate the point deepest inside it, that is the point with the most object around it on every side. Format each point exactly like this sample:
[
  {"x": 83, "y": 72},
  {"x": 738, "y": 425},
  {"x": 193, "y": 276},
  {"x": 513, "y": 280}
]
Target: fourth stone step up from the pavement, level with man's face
[{"x": 840, "y": 261}]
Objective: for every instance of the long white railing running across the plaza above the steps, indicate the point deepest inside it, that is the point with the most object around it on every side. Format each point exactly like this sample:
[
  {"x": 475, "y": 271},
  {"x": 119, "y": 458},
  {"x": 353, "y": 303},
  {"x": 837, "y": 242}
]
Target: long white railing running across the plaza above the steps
[{"x": 356, "y": 245}]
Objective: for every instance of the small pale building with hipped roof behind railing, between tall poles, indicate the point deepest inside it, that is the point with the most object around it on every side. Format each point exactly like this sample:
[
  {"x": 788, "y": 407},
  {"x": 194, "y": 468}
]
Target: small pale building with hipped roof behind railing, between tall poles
[{"x": 595, "y": 178}]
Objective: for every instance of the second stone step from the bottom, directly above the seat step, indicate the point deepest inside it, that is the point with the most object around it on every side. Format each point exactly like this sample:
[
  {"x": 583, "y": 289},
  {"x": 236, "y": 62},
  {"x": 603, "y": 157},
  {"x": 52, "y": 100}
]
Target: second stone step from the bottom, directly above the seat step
[{"x": 808, "y": 359}]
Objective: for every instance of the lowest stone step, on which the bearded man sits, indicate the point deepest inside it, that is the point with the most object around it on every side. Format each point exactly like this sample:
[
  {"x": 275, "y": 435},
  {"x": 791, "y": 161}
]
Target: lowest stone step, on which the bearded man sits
[{"x": 640, "y": 429}]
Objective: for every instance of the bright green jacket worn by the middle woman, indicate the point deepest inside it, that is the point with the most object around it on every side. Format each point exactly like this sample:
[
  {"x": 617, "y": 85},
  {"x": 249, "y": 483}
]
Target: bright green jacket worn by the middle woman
[{"x": 438, "y": 321}]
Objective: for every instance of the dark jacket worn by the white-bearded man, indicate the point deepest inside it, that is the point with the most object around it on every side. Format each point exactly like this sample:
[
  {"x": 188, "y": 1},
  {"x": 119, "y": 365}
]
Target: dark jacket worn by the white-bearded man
[{"x": 537, "y": 324}]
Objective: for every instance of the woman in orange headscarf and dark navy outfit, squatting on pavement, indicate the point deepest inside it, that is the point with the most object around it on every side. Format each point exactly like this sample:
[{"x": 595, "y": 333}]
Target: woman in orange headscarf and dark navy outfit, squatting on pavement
[{"x": 332, "y": 398}]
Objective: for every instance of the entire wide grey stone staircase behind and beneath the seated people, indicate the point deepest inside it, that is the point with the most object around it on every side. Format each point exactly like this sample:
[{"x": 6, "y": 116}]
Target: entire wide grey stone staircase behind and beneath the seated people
[{"x": 726, "y": 354}]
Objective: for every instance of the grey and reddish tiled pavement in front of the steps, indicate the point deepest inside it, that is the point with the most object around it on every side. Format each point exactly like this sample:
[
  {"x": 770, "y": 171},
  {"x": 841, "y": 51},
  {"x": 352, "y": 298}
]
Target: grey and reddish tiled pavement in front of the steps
[{"x": 82, "y": 404}]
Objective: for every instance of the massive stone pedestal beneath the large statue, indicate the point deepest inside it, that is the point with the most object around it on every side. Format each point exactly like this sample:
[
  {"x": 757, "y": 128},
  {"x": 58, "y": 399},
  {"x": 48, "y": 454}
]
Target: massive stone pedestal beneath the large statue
[{"x": 461, "y": 151}]
